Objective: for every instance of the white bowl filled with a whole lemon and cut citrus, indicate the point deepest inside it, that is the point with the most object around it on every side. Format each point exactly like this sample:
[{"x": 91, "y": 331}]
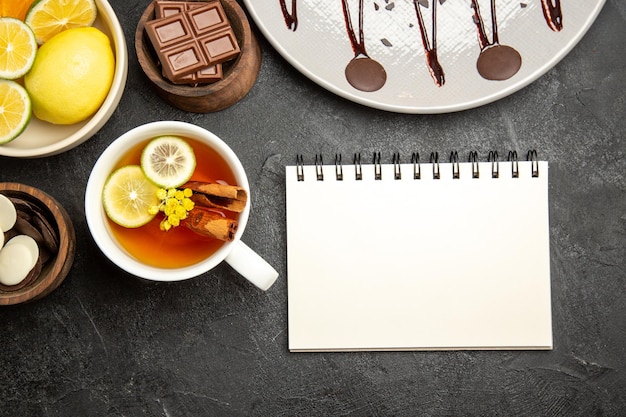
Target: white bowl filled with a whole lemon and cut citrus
[{"x": 64, "y": 75}]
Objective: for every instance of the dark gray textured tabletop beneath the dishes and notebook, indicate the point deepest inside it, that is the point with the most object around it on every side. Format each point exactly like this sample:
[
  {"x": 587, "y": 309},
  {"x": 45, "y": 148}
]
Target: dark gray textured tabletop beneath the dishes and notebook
[{"x": 107, "y": 344}]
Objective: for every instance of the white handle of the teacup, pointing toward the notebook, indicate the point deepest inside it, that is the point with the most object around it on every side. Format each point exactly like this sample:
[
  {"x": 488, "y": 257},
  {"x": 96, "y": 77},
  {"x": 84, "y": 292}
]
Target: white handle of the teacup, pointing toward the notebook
[{"x": 251, "y": 266}]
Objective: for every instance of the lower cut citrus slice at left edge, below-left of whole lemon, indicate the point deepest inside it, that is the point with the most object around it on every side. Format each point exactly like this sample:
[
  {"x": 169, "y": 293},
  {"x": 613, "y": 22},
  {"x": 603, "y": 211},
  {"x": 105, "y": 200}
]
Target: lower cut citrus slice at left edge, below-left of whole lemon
[{"x": 15, "y": 110}]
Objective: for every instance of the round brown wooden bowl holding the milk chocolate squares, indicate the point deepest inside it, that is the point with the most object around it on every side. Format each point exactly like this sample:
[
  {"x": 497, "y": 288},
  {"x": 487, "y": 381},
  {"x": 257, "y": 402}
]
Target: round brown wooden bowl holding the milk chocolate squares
[{"x": 239, "y": 74}]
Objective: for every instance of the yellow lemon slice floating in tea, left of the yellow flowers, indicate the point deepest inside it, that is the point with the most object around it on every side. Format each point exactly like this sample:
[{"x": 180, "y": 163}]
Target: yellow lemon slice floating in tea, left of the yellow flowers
[{"x": 128, "y": 195}]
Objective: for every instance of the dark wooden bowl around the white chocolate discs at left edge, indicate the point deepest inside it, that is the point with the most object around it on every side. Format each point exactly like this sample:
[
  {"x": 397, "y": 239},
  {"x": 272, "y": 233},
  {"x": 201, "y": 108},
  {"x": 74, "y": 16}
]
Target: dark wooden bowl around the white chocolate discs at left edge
[{"x": 57, "y": 268}]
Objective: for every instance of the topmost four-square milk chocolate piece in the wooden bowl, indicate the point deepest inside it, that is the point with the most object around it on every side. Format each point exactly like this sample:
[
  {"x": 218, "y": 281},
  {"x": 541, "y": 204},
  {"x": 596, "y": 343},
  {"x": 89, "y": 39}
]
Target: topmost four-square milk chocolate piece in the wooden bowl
[{"x": 197, "y": 38}]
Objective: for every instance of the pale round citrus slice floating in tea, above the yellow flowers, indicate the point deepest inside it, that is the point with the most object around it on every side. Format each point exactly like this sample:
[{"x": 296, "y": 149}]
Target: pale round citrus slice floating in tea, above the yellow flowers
[{"x": 168, "y": 161}]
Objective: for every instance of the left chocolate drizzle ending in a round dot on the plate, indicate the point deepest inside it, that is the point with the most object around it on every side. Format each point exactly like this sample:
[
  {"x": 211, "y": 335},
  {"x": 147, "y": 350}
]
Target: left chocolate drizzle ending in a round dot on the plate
[{"x": 362, "y": 72}]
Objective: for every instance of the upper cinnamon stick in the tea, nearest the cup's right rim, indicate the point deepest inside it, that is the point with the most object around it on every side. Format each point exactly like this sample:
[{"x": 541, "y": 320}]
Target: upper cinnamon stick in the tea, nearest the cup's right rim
[{"x": 222, "y": 196}]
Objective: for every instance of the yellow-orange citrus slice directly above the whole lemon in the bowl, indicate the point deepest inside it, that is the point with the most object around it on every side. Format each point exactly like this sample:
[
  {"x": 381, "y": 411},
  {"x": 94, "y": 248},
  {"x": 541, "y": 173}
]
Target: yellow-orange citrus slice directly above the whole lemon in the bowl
[{"x": 49, "y": 17}]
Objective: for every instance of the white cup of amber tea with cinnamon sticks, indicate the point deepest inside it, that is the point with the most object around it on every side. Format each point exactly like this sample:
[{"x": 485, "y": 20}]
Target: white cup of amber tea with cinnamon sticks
[{"x": 159, "y": 252}]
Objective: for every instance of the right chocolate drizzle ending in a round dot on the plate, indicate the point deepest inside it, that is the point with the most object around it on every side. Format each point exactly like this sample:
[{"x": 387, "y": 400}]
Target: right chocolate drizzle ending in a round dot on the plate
[{"x": 496, "y": 61}]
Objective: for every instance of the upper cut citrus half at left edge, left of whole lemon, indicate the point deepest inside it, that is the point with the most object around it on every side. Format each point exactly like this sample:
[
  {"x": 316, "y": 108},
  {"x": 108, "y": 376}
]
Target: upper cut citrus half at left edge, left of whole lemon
[{"x": 17, "y": 48}]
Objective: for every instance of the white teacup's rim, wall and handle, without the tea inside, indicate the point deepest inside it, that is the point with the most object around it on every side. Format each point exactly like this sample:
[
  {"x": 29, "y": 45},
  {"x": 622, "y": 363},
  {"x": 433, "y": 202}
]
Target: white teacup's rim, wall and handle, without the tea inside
[{"x": 236, "y": 253}]
